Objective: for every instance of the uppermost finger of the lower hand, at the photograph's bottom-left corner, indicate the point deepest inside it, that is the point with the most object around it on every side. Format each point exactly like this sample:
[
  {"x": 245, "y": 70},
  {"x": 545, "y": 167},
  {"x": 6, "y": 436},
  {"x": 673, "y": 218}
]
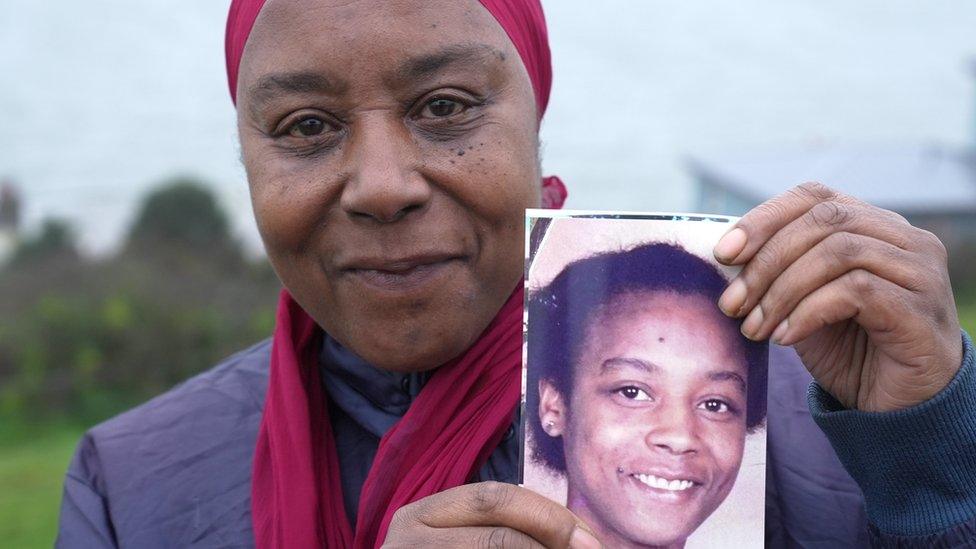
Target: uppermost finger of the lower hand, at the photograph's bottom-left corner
[{"x": 494, "y": 505}]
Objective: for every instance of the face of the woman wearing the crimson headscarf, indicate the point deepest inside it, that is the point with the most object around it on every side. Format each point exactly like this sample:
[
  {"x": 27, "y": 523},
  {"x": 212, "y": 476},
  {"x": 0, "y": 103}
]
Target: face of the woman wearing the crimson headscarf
[{"x": 391, "y": 149}]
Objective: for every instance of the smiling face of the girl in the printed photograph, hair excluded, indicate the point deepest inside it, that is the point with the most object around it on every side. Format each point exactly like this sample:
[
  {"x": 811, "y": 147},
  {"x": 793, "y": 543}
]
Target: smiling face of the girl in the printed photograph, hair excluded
[{"x": 655, "y": 427}]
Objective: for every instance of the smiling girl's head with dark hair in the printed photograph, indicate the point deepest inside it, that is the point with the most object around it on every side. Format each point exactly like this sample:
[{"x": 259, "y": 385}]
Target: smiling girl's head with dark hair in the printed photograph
[{"x": 644, "y": 392}]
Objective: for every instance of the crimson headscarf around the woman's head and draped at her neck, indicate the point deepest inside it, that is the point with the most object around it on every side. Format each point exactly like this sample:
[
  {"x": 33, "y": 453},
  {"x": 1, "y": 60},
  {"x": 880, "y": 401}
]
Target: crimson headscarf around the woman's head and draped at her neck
[{"x": 451, "y": 428}]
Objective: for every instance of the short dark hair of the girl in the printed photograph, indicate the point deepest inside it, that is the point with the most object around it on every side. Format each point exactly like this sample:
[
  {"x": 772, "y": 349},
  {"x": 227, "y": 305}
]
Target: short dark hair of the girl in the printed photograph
[{"x": 558, "y": 315}]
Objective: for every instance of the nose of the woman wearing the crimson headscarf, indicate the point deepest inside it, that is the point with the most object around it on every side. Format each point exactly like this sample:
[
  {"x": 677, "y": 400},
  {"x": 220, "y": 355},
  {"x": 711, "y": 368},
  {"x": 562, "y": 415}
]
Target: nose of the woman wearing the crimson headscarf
[{"x": 384, "y": 181}]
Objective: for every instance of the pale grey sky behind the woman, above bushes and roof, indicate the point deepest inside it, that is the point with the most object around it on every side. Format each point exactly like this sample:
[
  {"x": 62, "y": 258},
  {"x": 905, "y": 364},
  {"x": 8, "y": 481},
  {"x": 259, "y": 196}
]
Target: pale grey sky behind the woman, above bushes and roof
[{"x": 100, "y": 101}]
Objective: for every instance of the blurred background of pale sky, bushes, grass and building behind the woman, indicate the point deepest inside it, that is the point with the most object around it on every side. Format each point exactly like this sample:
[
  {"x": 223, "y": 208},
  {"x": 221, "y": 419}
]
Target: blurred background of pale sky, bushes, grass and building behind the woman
[{"x": 129, "y": 258}]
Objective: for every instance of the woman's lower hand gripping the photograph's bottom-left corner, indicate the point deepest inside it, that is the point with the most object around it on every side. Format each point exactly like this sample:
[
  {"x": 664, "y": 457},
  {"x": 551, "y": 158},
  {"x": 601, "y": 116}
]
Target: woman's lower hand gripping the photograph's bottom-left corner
[{"x": 488, "y": 514}]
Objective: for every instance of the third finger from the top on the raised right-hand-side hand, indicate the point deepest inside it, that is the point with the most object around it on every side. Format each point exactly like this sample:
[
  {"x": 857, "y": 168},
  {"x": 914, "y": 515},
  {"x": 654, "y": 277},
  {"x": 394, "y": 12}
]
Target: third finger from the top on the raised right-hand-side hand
[{"x": 829, "y": 259}]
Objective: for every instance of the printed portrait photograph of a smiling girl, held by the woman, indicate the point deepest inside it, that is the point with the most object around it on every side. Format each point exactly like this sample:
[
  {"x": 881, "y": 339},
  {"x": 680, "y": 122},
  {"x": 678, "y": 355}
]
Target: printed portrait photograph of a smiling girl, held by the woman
[{"x": 644, "y": 406}]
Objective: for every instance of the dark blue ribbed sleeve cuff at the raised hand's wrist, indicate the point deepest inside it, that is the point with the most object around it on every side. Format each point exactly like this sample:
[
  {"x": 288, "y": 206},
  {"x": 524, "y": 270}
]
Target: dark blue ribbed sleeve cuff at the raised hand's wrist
[{"x": 916, "y": 467}]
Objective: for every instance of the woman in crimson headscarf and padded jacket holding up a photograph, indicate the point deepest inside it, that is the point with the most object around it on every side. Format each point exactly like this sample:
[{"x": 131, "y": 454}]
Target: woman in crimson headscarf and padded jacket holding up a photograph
[{"x": 391, "y": 148}]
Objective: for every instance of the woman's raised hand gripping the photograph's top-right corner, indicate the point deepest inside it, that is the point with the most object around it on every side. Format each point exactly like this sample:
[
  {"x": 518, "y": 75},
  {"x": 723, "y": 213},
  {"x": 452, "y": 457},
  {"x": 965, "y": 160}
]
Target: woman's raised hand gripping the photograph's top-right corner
[{"x": 863, "y": 296}]
